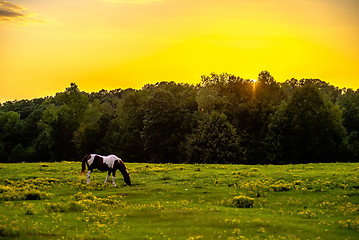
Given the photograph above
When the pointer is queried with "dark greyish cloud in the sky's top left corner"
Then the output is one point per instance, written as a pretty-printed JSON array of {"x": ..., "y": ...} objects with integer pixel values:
[{"x": 10, "y": 12}]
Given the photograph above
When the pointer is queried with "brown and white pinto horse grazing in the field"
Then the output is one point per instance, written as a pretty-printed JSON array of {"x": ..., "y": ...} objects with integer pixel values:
[{"x": 109, "y": 163}]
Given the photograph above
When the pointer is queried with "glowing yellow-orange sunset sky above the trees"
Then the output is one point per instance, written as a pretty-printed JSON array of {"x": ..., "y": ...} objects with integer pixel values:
[{"x": 108, "y": 44}]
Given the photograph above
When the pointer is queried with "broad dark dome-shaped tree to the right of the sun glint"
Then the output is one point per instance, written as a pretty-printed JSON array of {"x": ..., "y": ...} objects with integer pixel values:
[{"x": 307, "y": 128}]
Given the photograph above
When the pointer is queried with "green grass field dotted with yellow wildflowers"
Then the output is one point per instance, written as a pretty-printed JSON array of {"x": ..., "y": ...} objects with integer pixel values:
[{"x": 170, "y": 201}]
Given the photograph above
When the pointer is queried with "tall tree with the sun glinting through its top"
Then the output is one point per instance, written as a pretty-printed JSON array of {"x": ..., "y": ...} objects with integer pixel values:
[{"x": 253, "y": 114}]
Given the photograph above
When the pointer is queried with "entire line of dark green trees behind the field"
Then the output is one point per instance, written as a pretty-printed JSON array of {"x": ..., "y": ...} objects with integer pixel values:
[{"x": 223, "y": 119}]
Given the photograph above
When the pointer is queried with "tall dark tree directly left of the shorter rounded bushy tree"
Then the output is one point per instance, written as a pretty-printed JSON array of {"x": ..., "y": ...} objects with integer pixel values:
[{"x": 167, "y": 119}]
